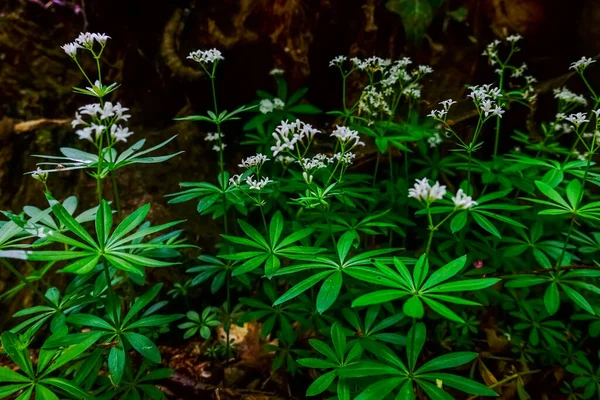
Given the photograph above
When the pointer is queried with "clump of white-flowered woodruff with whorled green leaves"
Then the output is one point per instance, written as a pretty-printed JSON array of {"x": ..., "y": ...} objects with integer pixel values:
[{"x": 439, "y": 265}]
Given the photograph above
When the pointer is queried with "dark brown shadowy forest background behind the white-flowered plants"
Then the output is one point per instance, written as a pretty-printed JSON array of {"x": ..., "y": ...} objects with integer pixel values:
[{"x": 146, "y": 55}]
